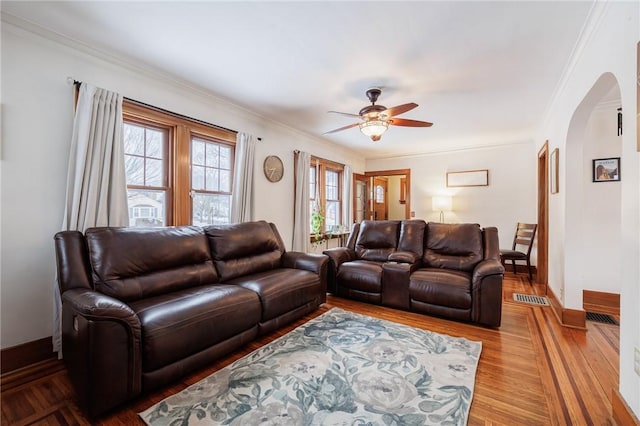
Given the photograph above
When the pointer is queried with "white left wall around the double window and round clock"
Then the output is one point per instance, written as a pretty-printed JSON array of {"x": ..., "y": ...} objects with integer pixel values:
[{"x": 37, "y": 108}]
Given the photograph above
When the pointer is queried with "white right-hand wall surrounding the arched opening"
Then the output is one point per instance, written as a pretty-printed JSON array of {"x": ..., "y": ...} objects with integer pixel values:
[{"x": 608, "y": 45}]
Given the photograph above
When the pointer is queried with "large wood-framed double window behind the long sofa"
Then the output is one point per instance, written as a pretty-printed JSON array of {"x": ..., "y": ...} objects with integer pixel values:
[{"x": 179, "y": 171}]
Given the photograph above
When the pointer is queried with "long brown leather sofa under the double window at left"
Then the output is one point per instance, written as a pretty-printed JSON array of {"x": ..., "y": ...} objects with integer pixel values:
[{"x": 143, "y": 307}]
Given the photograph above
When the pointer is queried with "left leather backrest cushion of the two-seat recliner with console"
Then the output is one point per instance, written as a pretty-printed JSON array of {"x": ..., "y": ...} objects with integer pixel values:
[{"x": 377, "y": 239}]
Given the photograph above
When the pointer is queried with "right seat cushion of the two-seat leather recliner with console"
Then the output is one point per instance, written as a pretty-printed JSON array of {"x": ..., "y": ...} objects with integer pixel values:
[{"x": 441, "y": 287}]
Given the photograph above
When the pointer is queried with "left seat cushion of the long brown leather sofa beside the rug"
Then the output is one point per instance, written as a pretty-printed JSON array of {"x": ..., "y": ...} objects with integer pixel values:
[{"x": 180, "y": 324}]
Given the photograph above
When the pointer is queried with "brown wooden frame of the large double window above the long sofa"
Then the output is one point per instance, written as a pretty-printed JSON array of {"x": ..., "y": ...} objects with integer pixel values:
[{"x": 178, "y": 159}]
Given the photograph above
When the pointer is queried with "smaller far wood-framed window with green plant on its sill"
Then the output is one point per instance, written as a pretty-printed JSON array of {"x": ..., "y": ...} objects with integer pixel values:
[{"x": 325, "y": 192}]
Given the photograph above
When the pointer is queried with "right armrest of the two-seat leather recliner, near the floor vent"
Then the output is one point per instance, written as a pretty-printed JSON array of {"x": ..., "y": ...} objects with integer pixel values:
[{"x": 486, "y": 290}]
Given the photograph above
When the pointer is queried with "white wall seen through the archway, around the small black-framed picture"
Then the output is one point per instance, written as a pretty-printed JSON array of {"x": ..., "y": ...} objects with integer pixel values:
[{"x": 592, "y": 238}]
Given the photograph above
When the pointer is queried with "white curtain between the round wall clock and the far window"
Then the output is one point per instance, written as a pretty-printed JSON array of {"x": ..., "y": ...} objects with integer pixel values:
[{"x": 301, "y": 202}]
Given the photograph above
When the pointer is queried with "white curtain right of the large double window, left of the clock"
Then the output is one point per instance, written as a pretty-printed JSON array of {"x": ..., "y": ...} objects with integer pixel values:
[{"x": 242, "y": 197}]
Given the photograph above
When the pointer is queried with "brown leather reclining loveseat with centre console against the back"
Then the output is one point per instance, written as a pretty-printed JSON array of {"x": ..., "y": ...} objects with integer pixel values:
[{"x": 446, "y": 270}]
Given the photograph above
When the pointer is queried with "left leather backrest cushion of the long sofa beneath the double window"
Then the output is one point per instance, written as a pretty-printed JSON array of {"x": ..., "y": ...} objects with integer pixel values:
[{"x": 134, "y": 263}]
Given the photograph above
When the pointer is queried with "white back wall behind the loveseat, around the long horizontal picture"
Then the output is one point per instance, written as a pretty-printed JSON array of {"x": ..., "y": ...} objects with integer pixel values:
[{"x": 511, "y": 196}]
